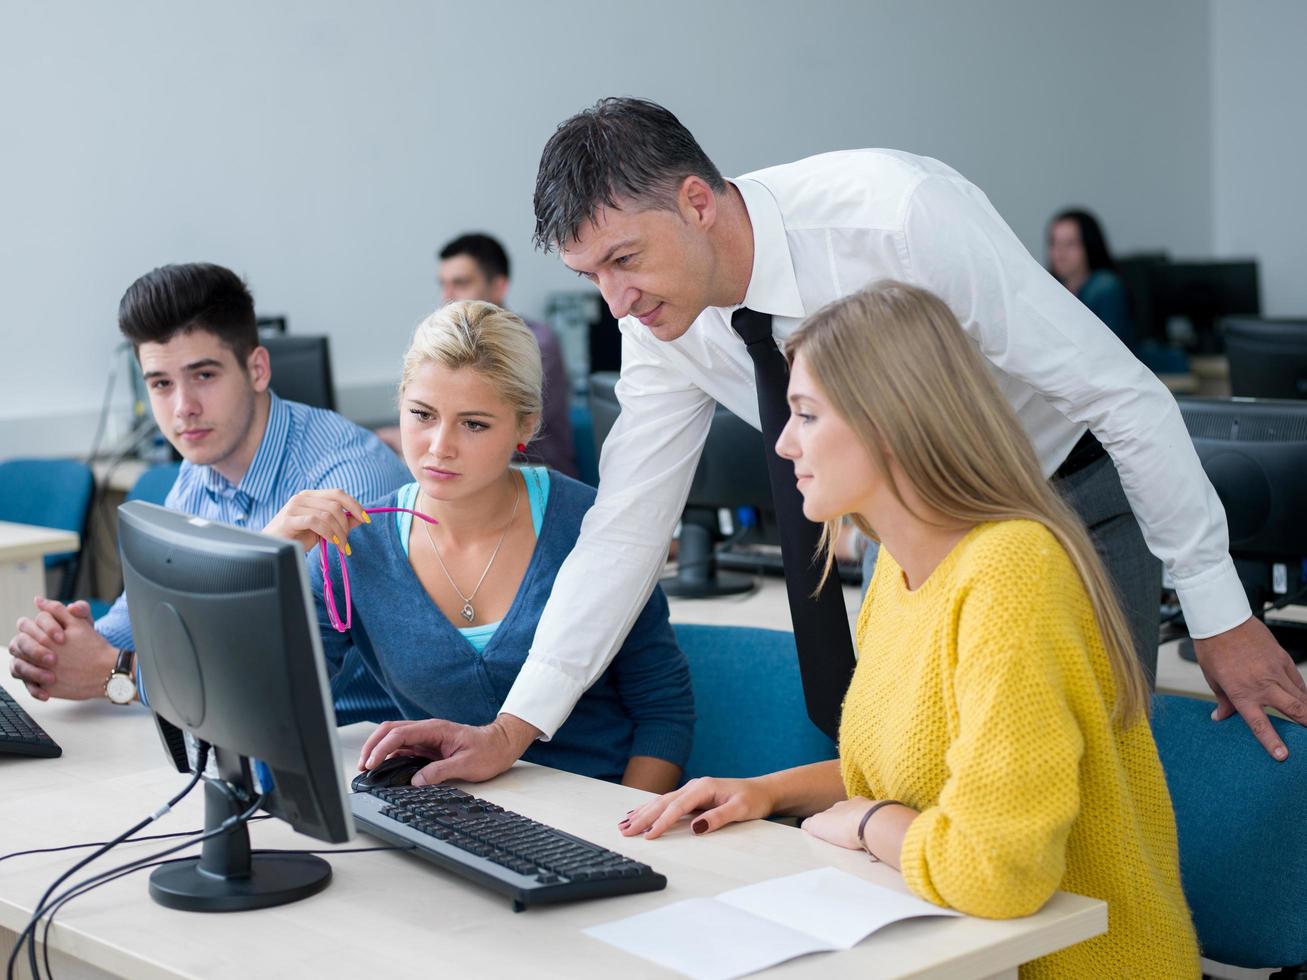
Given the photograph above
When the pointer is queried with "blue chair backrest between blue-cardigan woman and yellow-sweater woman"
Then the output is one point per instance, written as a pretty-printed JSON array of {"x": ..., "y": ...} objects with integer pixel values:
[{"x": 750, "y": 701}]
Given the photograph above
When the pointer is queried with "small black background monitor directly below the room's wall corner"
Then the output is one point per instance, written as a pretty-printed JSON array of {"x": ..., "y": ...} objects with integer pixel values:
[{"x": 1203, "y": 293}]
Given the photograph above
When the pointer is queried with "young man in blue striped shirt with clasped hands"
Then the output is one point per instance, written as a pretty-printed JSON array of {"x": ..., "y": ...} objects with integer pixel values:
[{"x": 248, "y": 455}]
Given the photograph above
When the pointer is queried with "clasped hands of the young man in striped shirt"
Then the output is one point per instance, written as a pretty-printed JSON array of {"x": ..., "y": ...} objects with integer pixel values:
[{"x": 58, "y": 654}]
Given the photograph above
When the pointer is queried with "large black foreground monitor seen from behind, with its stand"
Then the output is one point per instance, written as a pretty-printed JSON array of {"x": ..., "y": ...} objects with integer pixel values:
[{"x": 229, "y": 653}]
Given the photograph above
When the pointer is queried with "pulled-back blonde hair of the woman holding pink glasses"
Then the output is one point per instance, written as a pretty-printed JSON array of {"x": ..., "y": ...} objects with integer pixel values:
[{"x": 492, "y": 342}]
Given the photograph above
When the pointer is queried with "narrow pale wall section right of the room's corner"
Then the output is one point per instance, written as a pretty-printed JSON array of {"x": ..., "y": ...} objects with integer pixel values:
[{"x": 1259, "y": 63}]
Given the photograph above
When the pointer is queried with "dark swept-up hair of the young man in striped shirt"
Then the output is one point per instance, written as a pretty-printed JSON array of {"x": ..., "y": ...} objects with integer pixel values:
[{"x": 193, "y": 297}]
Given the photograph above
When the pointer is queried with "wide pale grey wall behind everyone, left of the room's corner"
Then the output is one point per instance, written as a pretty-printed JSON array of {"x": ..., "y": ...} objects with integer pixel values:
[{"x": 325, "y": 148}]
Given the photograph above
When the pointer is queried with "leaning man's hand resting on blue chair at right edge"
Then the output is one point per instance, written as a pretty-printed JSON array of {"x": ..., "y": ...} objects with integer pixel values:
[{"x": 1250, "y": 672}]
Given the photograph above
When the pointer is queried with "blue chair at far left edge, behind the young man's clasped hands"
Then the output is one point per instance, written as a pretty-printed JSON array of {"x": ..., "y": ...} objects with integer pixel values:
[{"x": 50, "y": 495}]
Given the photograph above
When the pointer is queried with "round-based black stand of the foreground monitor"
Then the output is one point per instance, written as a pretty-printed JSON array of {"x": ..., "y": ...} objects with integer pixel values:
[{"x": 227, "y": 877}]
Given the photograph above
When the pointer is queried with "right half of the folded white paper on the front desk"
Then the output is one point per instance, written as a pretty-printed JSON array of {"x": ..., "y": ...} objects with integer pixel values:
[{"x": 829, "y": 905}]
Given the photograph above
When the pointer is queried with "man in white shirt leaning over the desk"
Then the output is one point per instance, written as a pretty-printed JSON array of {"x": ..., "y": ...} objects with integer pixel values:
[{"x": 631, "y": 202}]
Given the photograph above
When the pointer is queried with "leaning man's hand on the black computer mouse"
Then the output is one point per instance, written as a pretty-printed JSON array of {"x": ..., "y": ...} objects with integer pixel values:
[{"x": 474, "y": 753}]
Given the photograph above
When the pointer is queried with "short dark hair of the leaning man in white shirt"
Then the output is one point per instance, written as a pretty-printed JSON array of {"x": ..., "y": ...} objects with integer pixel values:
[{"x": 619, "y": 148}]
